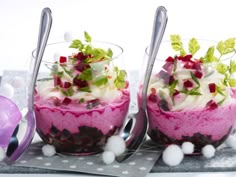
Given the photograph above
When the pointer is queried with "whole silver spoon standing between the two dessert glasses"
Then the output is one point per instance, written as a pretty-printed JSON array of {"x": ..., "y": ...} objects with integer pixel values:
[{"x": 135, "y": 128}]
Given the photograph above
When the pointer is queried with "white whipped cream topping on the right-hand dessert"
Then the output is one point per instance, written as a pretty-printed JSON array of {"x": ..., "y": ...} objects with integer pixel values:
[{"x": 183, "y": 101}]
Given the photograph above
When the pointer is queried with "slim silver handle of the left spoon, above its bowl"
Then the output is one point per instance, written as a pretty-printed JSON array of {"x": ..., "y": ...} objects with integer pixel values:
[{"x": 44, "y": 30}]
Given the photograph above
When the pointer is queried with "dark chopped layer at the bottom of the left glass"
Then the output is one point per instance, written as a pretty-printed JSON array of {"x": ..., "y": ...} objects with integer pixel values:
[{"x": 88, "y": 141}]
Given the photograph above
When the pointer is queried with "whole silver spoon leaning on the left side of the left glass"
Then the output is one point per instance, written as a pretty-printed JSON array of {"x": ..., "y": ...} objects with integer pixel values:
[{"x": 25, "y": 130}]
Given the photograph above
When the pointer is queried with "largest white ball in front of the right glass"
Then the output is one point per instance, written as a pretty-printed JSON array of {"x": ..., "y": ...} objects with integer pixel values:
[{"x": 172, "y": 155}]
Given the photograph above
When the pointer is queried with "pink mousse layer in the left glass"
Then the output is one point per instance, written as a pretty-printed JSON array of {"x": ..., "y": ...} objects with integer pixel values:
[{"x": 104, "y": 117}]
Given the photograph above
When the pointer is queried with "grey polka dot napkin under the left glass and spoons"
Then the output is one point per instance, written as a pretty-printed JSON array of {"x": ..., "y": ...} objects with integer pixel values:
[{"x": 139, "y": 165}]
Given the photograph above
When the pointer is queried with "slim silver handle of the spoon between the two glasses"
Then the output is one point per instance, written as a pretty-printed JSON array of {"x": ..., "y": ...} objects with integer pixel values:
[{"x": 159, "y": 26}]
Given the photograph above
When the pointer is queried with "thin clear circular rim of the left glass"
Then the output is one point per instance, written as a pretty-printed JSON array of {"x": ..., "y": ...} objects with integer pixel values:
[{"x": 121, "y": 51}]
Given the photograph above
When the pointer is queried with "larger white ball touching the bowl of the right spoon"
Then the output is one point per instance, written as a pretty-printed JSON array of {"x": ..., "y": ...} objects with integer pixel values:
[{"x": 115, "y": 144}]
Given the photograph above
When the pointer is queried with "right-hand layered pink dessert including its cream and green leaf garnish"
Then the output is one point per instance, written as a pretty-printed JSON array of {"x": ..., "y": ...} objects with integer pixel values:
[{"x": 193, "y": 98}]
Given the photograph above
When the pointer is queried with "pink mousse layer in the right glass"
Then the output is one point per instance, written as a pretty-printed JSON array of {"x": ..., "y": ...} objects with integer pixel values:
[{"x": 216, "y": 122}]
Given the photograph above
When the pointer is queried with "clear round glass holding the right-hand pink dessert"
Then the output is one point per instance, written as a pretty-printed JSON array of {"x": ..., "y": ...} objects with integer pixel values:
[{"x": 186, "y": 99}]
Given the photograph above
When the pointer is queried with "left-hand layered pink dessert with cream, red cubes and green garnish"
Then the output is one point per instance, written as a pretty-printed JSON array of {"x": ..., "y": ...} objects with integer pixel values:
[{"x": 84, "y": 100}]
